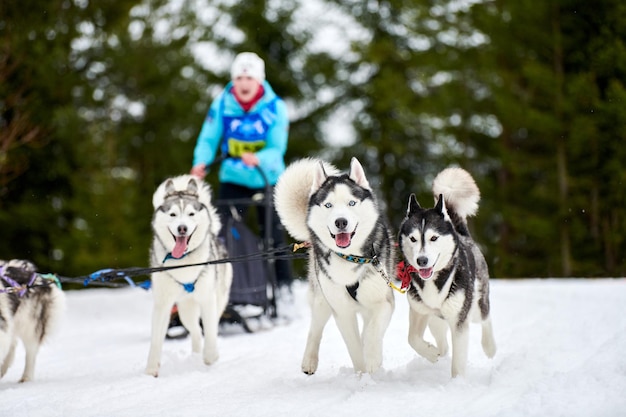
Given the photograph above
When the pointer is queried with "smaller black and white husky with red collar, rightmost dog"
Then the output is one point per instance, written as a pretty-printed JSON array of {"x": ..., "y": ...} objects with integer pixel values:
[{"x": 449, "y": 276}]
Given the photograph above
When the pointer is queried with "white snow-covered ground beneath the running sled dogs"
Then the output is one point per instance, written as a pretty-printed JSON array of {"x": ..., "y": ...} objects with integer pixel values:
[{"x": 561, "y": 353}]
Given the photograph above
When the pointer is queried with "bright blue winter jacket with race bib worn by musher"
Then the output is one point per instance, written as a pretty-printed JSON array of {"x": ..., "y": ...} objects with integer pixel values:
[{"x": 228, "y": 129}]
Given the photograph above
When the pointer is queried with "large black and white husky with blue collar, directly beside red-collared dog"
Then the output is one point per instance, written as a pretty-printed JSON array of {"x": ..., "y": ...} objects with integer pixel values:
[{"x": 350, "y": 256}]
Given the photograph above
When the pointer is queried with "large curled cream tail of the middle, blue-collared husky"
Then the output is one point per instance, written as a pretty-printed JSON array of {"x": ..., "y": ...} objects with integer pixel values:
[{"x": 292, "y": 192}]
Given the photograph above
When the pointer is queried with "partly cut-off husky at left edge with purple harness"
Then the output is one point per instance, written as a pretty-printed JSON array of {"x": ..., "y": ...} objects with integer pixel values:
[{"x": 30, "y": 315}]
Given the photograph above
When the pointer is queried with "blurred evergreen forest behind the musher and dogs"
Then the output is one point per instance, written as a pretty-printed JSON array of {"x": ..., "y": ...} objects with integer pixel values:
[{"x": 102, "y": 100}]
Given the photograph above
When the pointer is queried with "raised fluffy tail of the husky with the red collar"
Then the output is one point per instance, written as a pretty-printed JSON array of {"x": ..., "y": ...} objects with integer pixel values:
[{"x": 460, "y": 192}]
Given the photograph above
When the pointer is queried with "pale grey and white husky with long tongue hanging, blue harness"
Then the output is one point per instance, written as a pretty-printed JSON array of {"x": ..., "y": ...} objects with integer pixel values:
[{"x": 185, "y": 226}]
